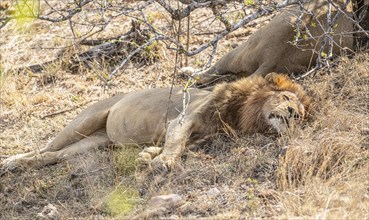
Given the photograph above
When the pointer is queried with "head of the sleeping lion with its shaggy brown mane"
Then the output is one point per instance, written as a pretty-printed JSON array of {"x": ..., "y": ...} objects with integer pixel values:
[{"x": 271, "y": 104}]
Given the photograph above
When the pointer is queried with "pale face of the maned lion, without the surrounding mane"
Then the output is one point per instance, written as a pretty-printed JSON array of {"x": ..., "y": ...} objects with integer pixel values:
[{"x": 282, "y": 110}]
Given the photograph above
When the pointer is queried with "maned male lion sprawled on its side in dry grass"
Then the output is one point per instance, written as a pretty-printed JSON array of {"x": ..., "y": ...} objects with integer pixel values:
[{"x": 268, "y": 105}]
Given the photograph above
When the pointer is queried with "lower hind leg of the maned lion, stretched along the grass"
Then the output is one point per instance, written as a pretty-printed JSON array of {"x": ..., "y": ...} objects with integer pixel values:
[{"x": 36, "y": 159}]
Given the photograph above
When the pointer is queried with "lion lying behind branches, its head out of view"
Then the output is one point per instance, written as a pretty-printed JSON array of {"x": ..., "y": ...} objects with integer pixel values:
[{"x": 274, "y": 48}]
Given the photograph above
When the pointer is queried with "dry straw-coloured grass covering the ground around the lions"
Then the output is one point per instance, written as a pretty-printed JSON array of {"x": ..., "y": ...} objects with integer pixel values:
[{"x": 320, "y": 172}]
